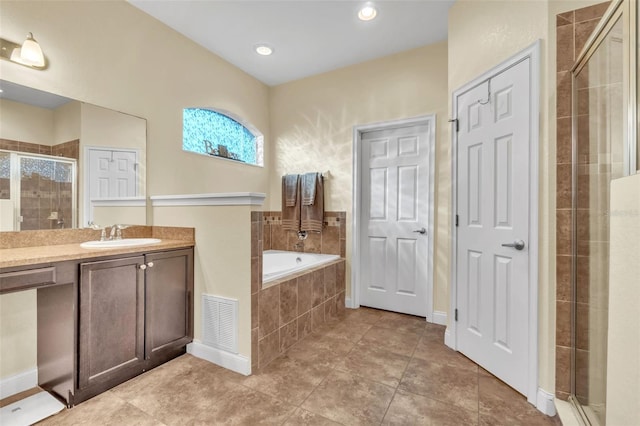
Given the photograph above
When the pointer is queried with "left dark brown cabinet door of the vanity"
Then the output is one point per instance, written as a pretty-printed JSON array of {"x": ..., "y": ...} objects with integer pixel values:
[{"x": 111, "y": 320}]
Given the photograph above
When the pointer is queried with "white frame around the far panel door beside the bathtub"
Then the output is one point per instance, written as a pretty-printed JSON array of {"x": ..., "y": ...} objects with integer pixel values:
[{"x": 429, "y": 120}]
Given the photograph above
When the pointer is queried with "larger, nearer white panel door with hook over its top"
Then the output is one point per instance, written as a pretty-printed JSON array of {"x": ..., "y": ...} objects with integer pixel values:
[{"x": 493, "y": 210}]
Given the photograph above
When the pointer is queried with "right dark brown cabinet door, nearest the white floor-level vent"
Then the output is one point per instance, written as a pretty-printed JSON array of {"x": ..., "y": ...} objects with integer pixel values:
[{"x": 169, "y": 301}]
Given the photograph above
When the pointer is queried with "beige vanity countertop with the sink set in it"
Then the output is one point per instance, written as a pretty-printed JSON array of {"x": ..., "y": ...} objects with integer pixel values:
[{"x": 25, "y": 256}]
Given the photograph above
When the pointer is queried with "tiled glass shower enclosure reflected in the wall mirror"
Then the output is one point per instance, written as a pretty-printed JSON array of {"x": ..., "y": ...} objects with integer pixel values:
[{"x": 36, "y": 192}]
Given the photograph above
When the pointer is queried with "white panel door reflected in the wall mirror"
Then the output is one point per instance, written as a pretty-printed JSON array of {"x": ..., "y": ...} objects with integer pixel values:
[{"x": 112, "y": 173}]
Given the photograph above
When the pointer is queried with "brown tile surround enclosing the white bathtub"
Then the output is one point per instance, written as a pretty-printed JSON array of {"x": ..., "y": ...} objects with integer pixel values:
[{"x": 289, "y": 309}]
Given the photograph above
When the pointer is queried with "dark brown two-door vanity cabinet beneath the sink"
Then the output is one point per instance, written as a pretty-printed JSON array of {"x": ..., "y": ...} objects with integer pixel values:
[{"x": 135, "y": 314}]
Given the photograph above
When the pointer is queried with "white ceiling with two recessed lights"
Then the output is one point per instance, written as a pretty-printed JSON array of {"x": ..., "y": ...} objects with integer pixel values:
[{"x": 308, "y": 36}]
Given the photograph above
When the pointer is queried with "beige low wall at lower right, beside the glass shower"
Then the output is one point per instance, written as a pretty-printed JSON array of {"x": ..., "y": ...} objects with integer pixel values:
[{"x": 623, "y": 363}]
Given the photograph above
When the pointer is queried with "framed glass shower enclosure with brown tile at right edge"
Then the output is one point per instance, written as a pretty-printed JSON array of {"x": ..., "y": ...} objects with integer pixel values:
[{"x": 604, "y": 148}]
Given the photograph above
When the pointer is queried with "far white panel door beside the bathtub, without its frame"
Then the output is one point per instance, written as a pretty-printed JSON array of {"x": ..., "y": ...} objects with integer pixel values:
[{"x": 394, "y": 241}]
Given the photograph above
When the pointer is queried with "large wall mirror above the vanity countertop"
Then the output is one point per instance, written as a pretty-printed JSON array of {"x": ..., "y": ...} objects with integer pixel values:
[{"x": 65, "y": 163}]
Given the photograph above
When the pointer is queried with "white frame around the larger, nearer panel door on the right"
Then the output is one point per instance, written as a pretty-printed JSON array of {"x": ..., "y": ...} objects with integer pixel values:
[{"x": 533, "y": 54}]
